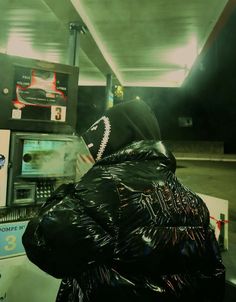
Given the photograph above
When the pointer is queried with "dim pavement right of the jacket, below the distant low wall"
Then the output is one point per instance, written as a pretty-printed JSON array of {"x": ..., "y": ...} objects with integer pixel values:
[{"x": 218, "y": 179}]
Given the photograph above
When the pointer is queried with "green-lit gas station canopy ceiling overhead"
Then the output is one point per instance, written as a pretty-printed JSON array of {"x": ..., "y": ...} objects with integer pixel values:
[{"x": 153, "y": 43}]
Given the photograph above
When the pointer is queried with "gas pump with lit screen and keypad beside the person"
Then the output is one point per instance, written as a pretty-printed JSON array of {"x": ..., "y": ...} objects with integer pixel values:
[{"x": 38, "y": 151}]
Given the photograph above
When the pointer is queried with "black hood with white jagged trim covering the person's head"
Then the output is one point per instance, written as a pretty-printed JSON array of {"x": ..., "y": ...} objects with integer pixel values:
[{"x": 120, "y": 126}]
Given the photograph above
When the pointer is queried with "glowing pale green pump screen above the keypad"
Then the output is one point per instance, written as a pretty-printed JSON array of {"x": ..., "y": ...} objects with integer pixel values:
[{"x": 46, "y": 158}]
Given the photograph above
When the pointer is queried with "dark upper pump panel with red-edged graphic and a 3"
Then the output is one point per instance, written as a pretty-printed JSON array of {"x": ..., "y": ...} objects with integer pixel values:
[{"x": 40, "y": 94}]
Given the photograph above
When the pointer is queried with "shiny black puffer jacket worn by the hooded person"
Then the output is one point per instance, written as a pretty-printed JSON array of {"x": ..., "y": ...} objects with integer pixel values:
[{"x": 128, "y": 231}]
